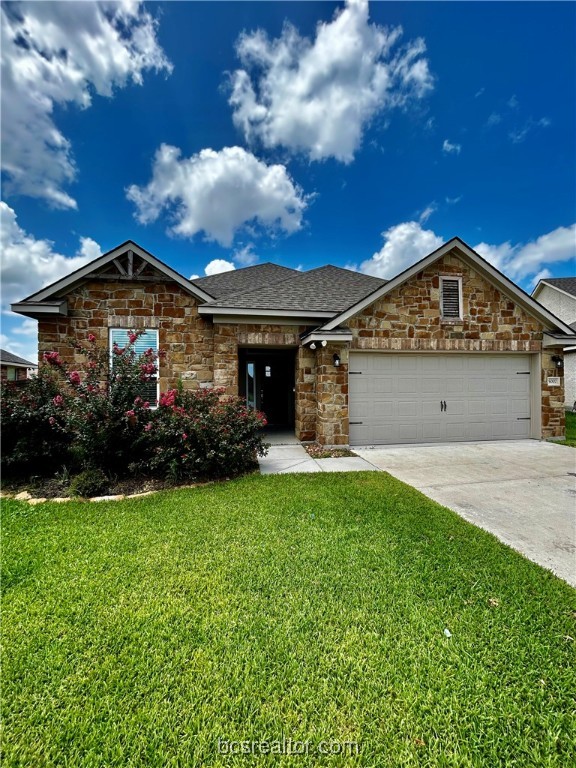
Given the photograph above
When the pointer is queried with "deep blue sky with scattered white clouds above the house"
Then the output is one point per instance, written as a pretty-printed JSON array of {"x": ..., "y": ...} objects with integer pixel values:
[{"x": 221, "y": 134}]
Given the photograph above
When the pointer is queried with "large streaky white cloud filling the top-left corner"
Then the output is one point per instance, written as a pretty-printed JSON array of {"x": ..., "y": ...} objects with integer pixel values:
[{"x": 55, "y": 54}]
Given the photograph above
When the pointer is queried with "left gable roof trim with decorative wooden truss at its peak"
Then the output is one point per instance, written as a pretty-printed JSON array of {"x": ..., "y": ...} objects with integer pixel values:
[{"x": 136, "y": 259}]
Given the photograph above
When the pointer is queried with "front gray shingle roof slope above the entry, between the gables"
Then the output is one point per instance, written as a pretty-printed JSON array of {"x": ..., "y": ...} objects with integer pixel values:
[{"x": 326, "y": 289}]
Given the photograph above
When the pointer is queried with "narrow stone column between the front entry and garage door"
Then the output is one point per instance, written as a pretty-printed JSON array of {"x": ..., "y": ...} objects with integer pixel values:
[{"x": 332, "y": 395}]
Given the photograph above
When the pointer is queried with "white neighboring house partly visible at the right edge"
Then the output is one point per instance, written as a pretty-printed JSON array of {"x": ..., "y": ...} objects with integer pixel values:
[{"x": 558, "y": 294}]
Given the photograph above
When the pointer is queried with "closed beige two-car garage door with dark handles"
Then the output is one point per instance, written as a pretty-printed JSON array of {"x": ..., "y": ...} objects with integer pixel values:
[{"x": 405, "y": 398}]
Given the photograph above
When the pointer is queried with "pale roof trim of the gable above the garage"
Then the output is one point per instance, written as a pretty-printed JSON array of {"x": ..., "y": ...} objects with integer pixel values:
[{"x": 469, "y": 255}]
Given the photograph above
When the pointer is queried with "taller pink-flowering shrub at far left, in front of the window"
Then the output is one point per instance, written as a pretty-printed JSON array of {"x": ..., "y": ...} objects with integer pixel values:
[{"x": 87, "y": 418}]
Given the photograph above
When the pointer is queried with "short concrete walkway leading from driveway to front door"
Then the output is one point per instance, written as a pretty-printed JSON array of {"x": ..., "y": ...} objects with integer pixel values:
[{"x": 287, "y": 455}]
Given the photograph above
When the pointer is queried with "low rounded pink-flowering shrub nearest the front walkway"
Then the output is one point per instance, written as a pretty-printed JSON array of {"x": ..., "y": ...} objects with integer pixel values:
[{"x": 201, "y": 434}]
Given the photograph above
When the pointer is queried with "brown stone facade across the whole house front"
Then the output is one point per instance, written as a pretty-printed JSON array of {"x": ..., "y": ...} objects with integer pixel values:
[{"x": 202, "y": 353}]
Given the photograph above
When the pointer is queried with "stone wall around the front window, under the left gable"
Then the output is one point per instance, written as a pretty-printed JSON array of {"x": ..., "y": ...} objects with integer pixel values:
[{"x": 182, "y": 332}]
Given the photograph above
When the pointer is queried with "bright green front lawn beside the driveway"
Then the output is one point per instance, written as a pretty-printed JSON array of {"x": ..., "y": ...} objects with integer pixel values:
[{"x": 306, "y": 607}]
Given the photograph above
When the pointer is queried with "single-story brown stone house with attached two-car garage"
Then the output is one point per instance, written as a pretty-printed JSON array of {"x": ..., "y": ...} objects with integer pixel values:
[{"x": 448, "y": 350}]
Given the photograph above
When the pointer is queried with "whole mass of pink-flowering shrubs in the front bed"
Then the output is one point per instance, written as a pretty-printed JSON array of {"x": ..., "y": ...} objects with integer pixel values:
[{"x": 92, "y": 419}]
